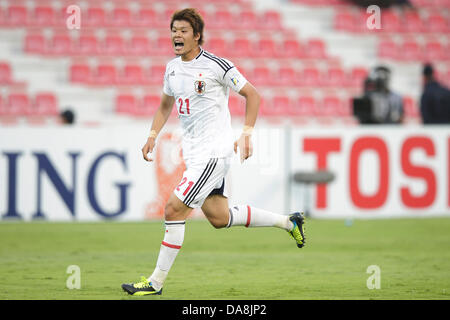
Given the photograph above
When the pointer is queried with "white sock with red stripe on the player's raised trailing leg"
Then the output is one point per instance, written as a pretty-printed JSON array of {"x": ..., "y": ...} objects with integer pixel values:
[{"x": 247, "y": 216}]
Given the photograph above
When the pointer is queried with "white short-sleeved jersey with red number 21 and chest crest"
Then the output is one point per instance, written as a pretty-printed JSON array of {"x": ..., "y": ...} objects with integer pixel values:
[{"x": 201, "y": 88}]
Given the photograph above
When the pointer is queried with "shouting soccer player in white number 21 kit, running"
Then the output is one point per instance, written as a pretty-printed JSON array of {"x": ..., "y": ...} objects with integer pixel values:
[{"x": 198, "y": 83}]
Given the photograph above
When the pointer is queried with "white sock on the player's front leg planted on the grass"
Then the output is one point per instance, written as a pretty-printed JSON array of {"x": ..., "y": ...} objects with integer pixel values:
[{"x": 173, "y": 240}]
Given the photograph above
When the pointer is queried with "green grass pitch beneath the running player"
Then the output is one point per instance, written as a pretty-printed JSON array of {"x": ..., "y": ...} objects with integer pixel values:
[{"x": 237, "y": 263}]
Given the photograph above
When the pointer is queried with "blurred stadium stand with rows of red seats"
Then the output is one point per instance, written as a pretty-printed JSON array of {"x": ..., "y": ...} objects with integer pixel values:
[{"x": 294, "y": 58}]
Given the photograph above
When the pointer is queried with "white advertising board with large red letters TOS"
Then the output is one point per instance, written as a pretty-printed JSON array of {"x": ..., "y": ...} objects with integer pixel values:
[{"x": 379, "y": 171}]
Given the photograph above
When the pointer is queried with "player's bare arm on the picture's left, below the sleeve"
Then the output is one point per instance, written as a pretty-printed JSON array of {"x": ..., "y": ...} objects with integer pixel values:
[{"x": 159, "y": 120}]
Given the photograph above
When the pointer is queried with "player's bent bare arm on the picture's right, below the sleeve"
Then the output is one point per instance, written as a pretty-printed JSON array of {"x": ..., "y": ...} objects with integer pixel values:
[{"x": 244, "y": 143}]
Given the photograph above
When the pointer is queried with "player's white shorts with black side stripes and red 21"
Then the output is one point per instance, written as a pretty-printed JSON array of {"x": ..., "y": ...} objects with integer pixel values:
[{"x": 202, "y": 179}]
